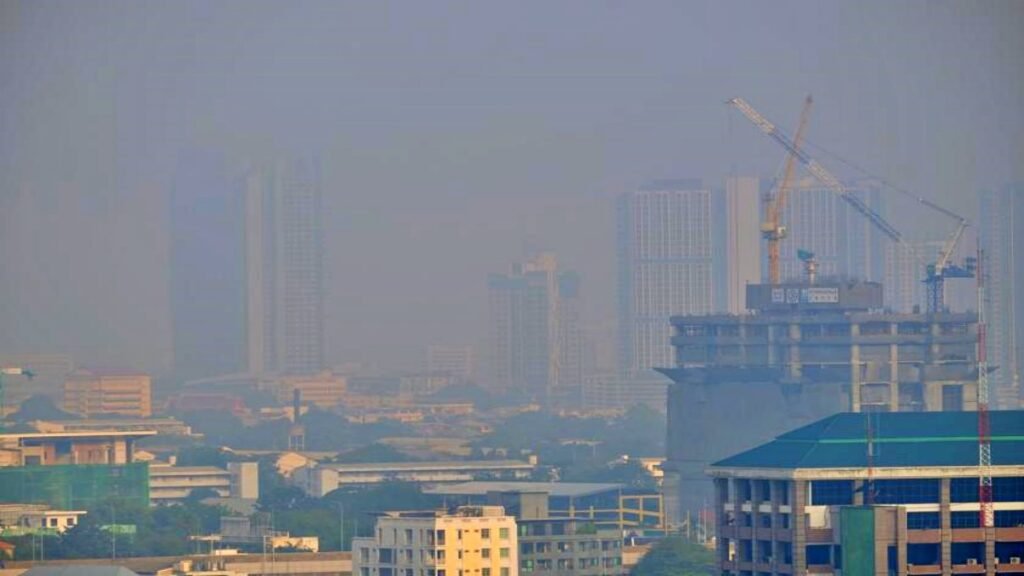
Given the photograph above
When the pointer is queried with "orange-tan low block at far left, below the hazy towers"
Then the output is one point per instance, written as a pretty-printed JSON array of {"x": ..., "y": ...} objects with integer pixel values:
[{"x": 90, "y": 393}]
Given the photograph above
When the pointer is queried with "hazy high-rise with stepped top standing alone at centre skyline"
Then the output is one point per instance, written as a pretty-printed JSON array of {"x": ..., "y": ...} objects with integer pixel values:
[{"x": 535, "y": 341}]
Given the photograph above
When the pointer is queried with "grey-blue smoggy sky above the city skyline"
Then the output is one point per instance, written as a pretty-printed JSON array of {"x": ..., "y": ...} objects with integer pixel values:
[{"x": 453, "y": 136}]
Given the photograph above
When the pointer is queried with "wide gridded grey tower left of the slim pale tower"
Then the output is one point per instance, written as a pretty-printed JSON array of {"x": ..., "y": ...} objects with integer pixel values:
[{"x": 665, "y": 252}]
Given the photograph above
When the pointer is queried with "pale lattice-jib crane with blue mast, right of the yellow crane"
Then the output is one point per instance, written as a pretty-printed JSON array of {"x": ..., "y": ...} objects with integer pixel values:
[{"x": 936, "y": 273}]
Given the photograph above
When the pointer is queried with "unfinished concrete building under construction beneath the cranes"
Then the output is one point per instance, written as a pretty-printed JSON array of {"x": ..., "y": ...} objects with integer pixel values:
[{"x": 803, "y": 352}]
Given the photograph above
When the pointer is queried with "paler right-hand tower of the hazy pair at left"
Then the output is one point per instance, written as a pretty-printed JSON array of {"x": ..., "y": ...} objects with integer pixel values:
[{"x": 285, "y": 273}]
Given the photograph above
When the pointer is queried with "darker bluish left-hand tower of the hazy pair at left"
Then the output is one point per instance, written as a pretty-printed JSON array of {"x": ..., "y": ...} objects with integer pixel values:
[{"x": 207, "y": 270}]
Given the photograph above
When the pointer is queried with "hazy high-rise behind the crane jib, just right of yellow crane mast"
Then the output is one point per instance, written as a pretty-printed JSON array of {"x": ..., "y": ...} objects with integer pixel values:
[{"x": 844, "y": 242}]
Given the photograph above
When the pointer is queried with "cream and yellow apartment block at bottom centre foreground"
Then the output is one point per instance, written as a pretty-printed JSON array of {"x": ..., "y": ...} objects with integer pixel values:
[{"x": 473, "y": 542}]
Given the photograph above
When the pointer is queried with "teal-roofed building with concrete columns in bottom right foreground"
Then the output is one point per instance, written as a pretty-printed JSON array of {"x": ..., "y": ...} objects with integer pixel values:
[{"x": 881, "y": 493}]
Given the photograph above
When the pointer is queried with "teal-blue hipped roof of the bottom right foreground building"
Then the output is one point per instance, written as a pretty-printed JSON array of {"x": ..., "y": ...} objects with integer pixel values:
[{"x": 901, "y": 439}]
